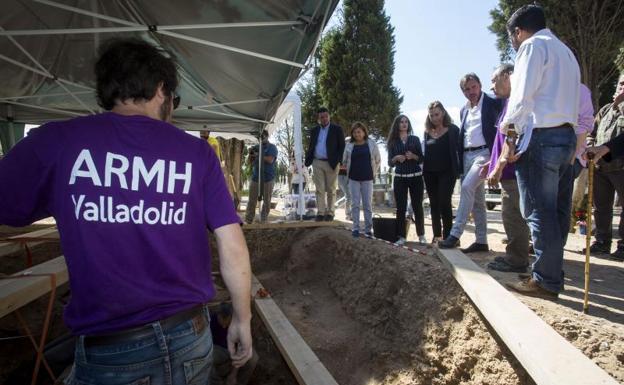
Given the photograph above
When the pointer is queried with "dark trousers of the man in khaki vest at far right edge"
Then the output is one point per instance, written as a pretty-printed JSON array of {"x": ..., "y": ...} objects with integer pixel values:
[{"x": 605, "y": 186}]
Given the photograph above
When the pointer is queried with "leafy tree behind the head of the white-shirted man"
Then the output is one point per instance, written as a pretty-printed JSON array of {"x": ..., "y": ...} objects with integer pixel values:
[{"x": 593, "y": 29}]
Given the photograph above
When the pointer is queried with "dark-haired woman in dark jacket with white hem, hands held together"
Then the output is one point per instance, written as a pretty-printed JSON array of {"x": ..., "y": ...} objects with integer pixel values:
[{"x": 405, "y": 155}]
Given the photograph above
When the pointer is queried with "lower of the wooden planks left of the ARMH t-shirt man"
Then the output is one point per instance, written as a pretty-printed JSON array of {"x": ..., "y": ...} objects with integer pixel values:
[{"x": 15, "y": 293}]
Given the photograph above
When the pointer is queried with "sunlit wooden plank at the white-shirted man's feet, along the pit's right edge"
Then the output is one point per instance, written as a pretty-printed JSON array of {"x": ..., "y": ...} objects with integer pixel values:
[{"x": 547, "y": 357}]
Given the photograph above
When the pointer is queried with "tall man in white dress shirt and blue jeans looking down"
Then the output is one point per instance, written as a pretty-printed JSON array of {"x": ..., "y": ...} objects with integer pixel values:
[{"x": 542, "y": 111}]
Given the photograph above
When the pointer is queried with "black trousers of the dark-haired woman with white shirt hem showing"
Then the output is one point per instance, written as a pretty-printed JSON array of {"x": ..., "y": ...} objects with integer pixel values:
[{"x": 416, "y": 190}]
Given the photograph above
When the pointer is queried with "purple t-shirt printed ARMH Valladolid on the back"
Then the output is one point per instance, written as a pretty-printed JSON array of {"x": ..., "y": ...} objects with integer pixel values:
[{"x": 132, "y": 198}]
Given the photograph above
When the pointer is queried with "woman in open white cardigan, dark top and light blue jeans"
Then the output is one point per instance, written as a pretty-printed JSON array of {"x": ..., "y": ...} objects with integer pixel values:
[{"x": 361, "y": 158}]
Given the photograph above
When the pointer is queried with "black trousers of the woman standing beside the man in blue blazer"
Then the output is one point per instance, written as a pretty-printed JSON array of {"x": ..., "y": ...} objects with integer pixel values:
[{"x": 440, "y": 191}]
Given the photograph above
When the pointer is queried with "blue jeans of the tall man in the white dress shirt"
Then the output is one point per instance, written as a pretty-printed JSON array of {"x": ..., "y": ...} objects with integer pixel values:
[{"x": 545, "y": 180}]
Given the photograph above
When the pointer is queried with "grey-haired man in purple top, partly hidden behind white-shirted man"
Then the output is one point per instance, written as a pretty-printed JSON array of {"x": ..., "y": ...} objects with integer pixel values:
[{"x": 516, "y": 257}]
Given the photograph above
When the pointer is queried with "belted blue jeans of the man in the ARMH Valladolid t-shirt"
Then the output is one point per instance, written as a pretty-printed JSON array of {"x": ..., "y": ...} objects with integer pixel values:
[{"x": 180, "y": 355}]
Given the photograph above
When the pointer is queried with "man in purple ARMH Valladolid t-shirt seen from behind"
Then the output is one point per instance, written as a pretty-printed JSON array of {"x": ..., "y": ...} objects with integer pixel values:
[{"x": 132, "y": 196}]
